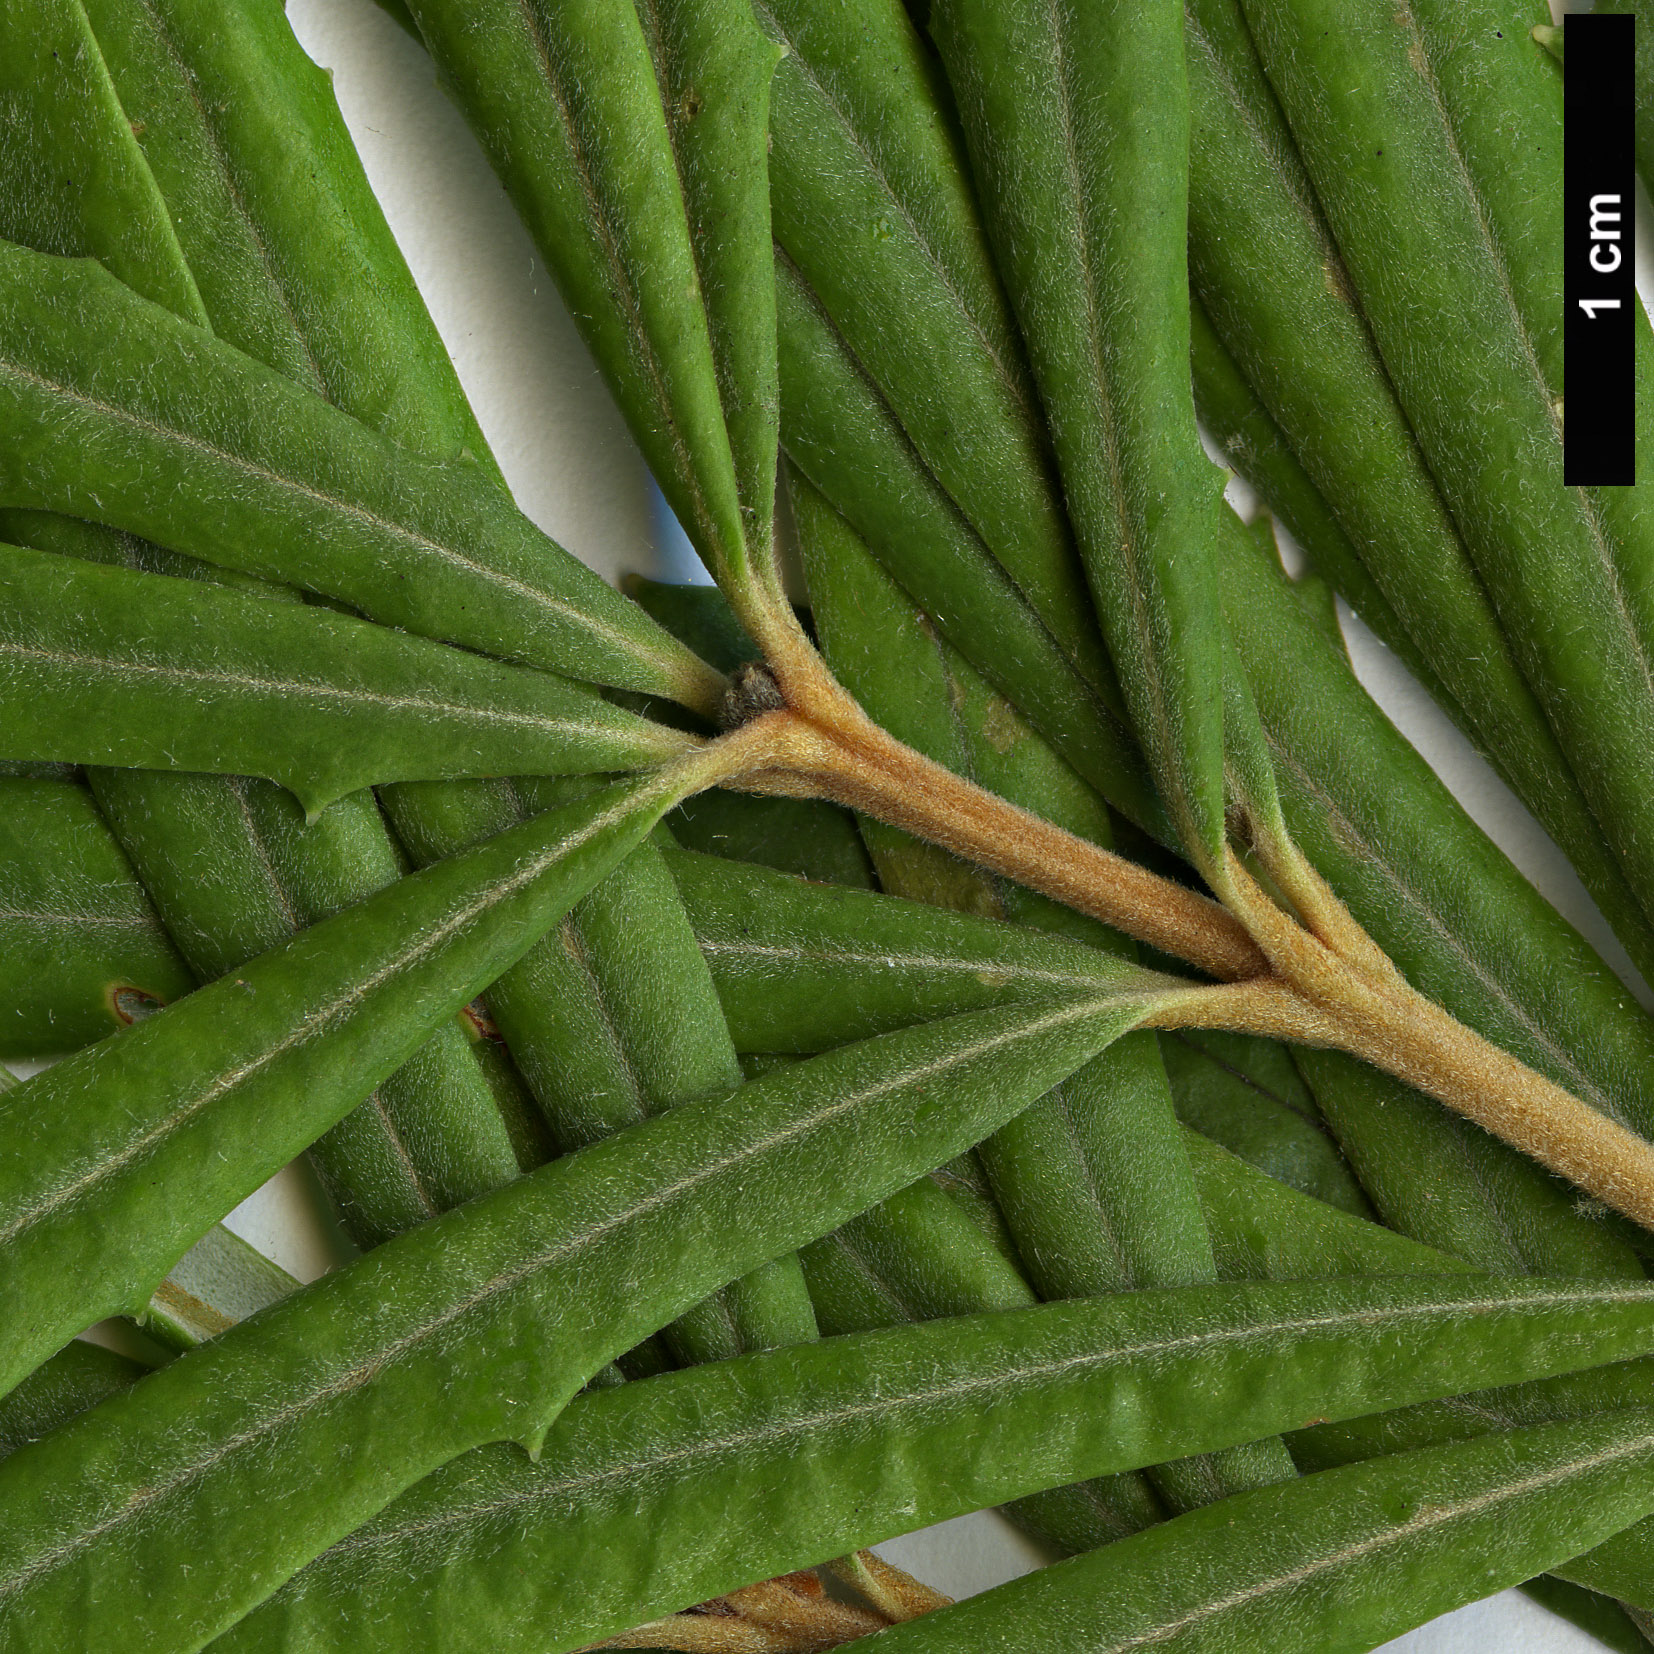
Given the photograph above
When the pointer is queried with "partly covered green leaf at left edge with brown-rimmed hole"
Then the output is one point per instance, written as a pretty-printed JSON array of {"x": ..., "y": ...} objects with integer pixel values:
[{"x": 82, "y": 952}]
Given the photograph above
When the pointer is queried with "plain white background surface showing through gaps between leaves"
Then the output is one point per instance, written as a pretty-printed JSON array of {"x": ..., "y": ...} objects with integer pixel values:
[{"x": 576, "y": 474}]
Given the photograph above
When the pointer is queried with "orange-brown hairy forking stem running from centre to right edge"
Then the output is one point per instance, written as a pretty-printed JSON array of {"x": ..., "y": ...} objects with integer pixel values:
[{"x": 1312, "y": 977}]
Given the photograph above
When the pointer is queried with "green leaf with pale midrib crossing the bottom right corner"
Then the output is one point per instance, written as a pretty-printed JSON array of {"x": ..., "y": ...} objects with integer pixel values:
[{"x": 1336, "y": 1562}]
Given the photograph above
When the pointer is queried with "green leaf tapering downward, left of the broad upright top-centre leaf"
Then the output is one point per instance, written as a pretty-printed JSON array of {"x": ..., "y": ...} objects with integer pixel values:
[{"x": 866, "y": 156}]
